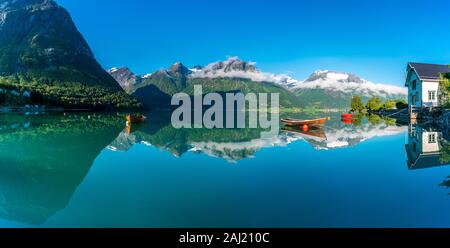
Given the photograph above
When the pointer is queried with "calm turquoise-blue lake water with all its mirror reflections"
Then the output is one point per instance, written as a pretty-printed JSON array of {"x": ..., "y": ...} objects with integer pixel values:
[{"x": 87, "y": 170}]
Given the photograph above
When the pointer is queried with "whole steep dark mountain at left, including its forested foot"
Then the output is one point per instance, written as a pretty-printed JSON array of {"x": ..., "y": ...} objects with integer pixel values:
[{"x": 42, "y": 51}]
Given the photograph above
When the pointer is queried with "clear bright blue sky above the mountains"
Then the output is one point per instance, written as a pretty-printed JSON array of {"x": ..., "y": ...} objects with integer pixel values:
[{"x": 373, "y": 39}]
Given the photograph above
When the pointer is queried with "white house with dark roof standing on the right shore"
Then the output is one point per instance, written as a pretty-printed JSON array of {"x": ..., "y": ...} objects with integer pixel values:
[{"x": 423, "y": 84}]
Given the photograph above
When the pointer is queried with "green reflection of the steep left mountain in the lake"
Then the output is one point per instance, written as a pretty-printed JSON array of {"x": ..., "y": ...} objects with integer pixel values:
[{"x": 44, "y": 158}]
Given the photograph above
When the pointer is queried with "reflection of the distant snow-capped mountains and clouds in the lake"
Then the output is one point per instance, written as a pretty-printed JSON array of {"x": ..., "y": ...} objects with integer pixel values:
[{"x": 237, "y": 144}]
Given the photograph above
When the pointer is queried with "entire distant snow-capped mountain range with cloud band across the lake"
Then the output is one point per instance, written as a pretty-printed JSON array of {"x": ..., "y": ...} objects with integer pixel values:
[{"x": 323, "y": 89}]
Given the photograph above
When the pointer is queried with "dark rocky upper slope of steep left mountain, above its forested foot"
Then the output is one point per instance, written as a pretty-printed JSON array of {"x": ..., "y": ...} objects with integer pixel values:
[{"x": 41, "y": 28}]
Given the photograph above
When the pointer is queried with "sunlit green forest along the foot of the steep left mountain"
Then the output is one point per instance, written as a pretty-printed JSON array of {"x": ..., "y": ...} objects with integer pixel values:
[{"x": 65, "y": 94}]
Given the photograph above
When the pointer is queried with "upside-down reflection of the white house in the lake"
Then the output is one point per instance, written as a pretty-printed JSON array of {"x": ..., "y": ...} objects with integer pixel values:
[{"x": 425, "y": 147}]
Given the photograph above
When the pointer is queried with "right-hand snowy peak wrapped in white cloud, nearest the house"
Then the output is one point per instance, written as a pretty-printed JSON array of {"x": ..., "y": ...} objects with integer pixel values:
[{"x": 348, "y": 83}]
